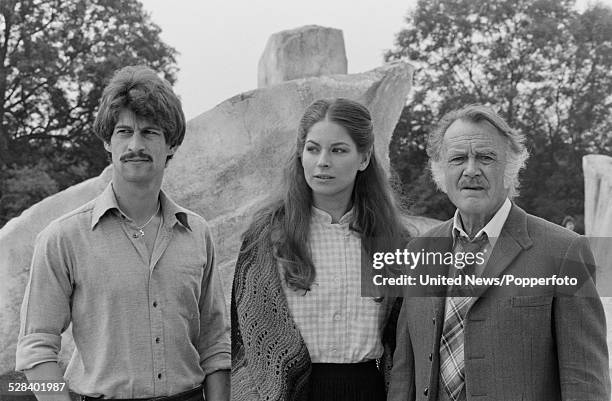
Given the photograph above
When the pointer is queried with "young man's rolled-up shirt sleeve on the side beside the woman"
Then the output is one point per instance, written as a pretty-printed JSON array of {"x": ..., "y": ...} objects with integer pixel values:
[{"x": 214, "y": 342}]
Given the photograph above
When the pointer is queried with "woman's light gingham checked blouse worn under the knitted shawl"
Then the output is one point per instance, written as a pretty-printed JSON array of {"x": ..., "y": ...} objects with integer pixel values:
[{"x": 336, "y": 323}]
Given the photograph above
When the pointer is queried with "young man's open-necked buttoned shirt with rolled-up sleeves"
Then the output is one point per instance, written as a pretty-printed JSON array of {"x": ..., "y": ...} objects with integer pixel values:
[{"x": 142, "y": 327}]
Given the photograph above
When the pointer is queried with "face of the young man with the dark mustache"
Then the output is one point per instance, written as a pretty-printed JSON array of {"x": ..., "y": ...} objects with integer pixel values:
[{"x": 138, "y": 148}]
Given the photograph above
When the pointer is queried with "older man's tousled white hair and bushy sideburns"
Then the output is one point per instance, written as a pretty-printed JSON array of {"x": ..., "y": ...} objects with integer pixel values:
[{"x": 516, "y": 155}]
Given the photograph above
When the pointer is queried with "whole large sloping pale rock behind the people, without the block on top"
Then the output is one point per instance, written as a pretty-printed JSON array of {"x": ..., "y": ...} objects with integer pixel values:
[{"x": 231, "y": 160}]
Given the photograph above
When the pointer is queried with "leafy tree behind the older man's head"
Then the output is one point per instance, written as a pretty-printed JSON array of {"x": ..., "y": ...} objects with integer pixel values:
[{"x": 544, "y": 66}]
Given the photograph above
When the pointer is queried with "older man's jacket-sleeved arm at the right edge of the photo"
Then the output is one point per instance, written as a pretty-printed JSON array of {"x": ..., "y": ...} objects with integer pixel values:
[{"x": 580, "y": 328}]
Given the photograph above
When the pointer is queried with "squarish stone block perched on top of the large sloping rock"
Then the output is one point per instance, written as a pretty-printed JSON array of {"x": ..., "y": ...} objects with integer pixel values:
[{"x": 309, "y": 51}]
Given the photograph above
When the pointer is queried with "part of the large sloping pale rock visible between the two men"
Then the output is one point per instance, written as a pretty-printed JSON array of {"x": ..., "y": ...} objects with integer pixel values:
[{"x": 244, "y": 143}]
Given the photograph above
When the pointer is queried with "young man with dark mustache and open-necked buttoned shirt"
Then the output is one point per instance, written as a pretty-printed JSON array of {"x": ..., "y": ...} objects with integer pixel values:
[{"x": 131, "y": 270}]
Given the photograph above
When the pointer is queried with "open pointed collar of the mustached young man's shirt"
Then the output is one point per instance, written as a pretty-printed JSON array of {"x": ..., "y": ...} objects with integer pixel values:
[{"x": 107, "y": 201}]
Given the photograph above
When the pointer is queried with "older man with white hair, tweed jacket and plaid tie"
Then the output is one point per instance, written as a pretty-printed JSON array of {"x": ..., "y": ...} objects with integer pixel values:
[{"x": 499, "y": 343}]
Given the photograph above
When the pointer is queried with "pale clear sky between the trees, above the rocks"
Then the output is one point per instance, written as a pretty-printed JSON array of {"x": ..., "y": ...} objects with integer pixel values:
[{"x": 220, "y": 41}]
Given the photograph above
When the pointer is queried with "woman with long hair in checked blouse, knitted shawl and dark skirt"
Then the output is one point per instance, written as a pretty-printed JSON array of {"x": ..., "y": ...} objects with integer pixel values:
[{"x": 300, "y": 328}]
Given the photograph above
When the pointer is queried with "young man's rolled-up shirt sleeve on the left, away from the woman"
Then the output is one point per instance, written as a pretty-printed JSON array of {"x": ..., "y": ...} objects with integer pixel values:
[{"x": 45, "y": 311}]
